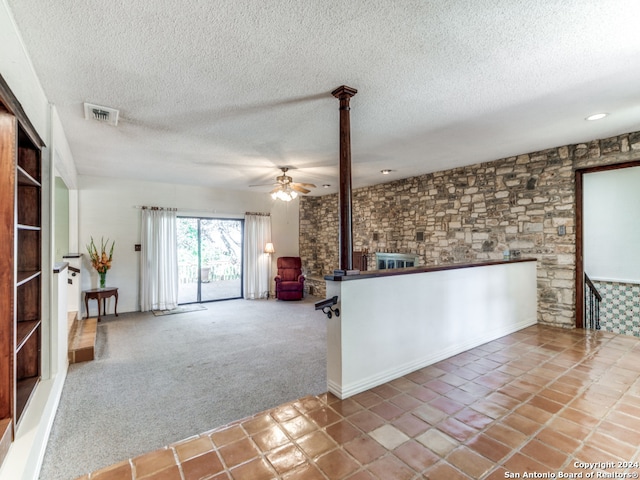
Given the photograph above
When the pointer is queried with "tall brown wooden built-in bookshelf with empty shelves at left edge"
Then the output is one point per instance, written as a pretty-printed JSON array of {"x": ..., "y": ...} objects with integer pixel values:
[{"x": 20, "y": 264}]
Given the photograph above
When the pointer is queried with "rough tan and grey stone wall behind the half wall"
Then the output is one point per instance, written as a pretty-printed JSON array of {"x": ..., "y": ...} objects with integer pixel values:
[{"x": 473, "y": 213}]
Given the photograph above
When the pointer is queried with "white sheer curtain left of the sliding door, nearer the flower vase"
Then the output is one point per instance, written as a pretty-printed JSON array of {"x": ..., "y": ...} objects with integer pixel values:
[{"x": 159, "y": 260}]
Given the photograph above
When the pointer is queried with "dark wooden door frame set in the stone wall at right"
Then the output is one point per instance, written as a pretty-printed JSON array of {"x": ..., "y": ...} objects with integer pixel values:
[{"x": 579, "y": 174}]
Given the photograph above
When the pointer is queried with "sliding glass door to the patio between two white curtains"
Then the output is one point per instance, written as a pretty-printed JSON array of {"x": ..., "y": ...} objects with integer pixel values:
[{"x": 209, "y": 259}]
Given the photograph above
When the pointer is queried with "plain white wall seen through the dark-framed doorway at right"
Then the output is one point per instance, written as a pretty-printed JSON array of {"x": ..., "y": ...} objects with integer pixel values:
[{"x": 612, "y": 225}]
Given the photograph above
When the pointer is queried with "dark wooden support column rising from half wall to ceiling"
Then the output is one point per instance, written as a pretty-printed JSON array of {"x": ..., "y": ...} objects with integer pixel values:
[{"x": 345, "y": 233}]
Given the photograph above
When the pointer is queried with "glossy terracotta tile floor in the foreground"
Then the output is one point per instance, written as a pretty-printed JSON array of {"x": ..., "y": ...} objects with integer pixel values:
[{"x": 540, "y": 401}]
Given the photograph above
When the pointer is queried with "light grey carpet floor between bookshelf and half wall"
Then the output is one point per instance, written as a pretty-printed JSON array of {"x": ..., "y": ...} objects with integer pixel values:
[{"x": 157, "y": 380}]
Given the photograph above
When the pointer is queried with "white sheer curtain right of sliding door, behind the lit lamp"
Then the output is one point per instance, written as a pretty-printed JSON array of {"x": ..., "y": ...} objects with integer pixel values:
[{"x": 257, "y": 232}]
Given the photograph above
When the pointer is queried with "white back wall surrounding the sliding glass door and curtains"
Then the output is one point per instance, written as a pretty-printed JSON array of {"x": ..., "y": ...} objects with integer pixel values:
[{"x": 107, "y": 208}]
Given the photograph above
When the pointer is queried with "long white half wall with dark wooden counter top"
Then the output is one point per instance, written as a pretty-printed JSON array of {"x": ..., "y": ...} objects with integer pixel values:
[{"x": 394, "y": 322}]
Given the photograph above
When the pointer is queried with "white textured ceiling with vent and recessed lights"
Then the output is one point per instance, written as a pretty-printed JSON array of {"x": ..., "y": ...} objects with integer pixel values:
[{"x": 223, "y": 93}]
